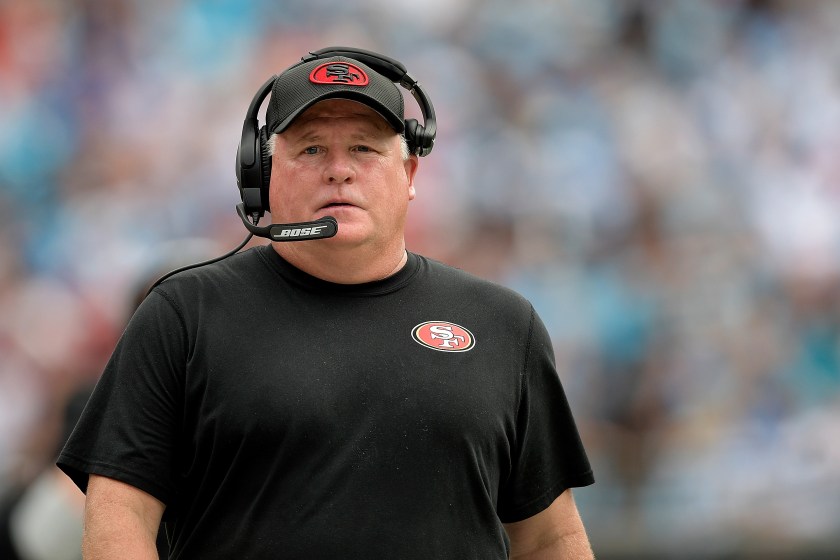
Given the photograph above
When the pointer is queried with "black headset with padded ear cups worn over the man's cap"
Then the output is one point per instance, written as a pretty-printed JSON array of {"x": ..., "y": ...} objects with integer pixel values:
[{"x": 253, "y": 164}]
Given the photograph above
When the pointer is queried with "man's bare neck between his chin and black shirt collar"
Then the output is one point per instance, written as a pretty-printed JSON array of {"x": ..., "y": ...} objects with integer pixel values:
[{"x": 345, "y": 266}]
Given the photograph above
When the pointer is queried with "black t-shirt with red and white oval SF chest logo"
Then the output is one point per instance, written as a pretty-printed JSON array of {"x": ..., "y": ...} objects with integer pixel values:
[{"x": 281, "y": 416}]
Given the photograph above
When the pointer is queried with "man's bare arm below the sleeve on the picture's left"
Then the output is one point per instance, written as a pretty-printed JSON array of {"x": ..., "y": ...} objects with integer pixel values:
[{"x": 121, "y": 521}]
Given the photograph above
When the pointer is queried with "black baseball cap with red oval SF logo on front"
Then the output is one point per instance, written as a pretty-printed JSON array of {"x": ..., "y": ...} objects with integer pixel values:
[{"x": 337, "y": 77}]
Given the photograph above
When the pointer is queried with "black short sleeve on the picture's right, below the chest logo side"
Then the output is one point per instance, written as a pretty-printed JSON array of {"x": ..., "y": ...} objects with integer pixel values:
[{"x": 548, "y": 456}]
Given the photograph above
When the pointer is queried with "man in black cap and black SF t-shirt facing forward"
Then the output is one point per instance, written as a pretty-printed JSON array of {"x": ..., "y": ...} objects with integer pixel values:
[{"x": 332, "y": 398}]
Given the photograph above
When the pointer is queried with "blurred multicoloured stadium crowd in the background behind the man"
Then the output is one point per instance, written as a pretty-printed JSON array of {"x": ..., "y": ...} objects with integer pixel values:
[{"x": 660, "y": 178}]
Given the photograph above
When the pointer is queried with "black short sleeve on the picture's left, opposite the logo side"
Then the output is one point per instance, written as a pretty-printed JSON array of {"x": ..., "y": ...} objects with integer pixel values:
[{"x": 128, "y": 429}]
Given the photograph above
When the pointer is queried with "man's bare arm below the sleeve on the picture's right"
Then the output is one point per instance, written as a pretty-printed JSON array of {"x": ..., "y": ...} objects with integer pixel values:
[{"x": 556, "y": 533}]
